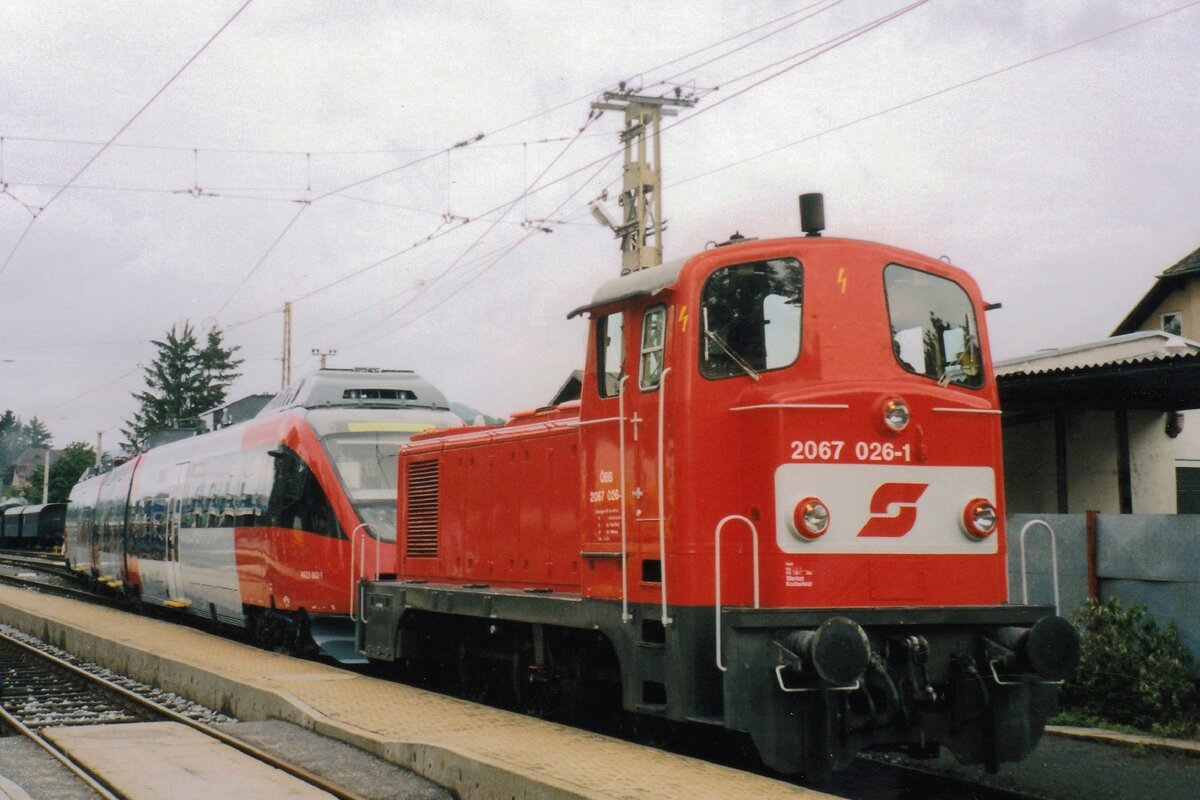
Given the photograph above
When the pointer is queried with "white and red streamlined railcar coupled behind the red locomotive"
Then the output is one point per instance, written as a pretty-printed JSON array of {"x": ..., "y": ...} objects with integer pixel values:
[{"x": 263, "y": 525}]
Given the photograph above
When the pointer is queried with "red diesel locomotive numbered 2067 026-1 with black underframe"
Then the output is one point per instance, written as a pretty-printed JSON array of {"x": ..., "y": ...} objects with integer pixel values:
[{"x": 776, "y": 509}]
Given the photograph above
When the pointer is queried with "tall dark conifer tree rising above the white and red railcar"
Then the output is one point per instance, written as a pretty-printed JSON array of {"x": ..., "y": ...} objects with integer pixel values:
[{"x": 184, "y": 381}]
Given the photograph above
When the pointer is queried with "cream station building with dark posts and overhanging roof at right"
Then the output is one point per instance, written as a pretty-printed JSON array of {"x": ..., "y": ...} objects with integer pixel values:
[{"x": 1109, "y": 426}]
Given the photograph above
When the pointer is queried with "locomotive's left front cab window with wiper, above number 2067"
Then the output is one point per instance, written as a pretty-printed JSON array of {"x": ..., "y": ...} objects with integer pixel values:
[{"x": 751, "y": 318}]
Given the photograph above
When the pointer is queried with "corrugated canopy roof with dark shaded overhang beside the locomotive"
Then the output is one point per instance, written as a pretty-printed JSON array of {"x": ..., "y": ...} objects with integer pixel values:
[{"x": 1147, "y": 370}]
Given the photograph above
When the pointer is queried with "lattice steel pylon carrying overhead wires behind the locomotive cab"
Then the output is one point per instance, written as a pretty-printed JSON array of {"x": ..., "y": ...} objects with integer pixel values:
[{"x": 641, "y": 228}]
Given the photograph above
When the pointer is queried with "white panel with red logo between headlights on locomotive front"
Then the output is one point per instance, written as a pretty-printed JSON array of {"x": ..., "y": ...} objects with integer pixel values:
[{"x": 884, "y": 509}]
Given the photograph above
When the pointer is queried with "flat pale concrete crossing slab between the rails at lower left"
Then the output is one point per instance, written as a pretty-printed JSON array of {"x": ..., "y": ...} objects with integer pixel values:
[{"x": 151, "y": 761}]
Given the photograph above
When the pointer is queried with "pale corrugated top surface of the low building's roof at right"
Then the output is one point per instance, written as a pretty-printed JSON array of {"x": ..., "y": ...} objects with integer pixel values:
[{"x": 1130, "y": 348}]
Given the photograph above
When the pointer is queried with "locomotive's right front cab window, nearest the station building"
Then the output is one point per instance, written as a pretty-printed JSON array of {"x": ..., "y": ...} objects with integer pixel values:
[{"x": 934, "y": 332}]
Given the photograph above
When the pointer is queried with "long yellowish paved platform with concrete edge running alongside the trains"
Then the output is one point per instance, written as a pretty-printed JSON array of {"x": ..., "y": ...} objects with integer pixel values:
[{"x": 478, "y": 753}]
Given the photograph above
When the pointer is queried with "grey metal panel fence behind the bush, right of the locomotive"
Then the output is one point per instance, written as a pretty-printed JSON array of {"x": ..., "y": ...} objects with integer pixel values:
[{"x": 1148, "y": 560}]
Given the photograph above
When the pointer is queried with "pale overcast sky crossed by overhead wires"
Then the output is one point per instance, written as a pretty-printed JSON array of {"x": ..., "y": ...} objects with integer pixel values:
[{"x": 1065, "y": 185}]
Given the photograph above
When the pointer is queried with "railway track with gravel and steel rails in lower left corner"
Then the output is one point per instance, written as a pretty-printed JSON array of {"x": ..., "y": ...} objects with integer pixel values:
[{"x": 44, "y": 690}]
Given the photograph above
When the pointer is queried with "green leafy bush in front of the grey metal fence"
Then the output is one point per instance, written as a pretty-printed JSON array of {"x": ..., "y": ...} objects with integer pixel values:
[{"x": 1131, "y": 671}]
